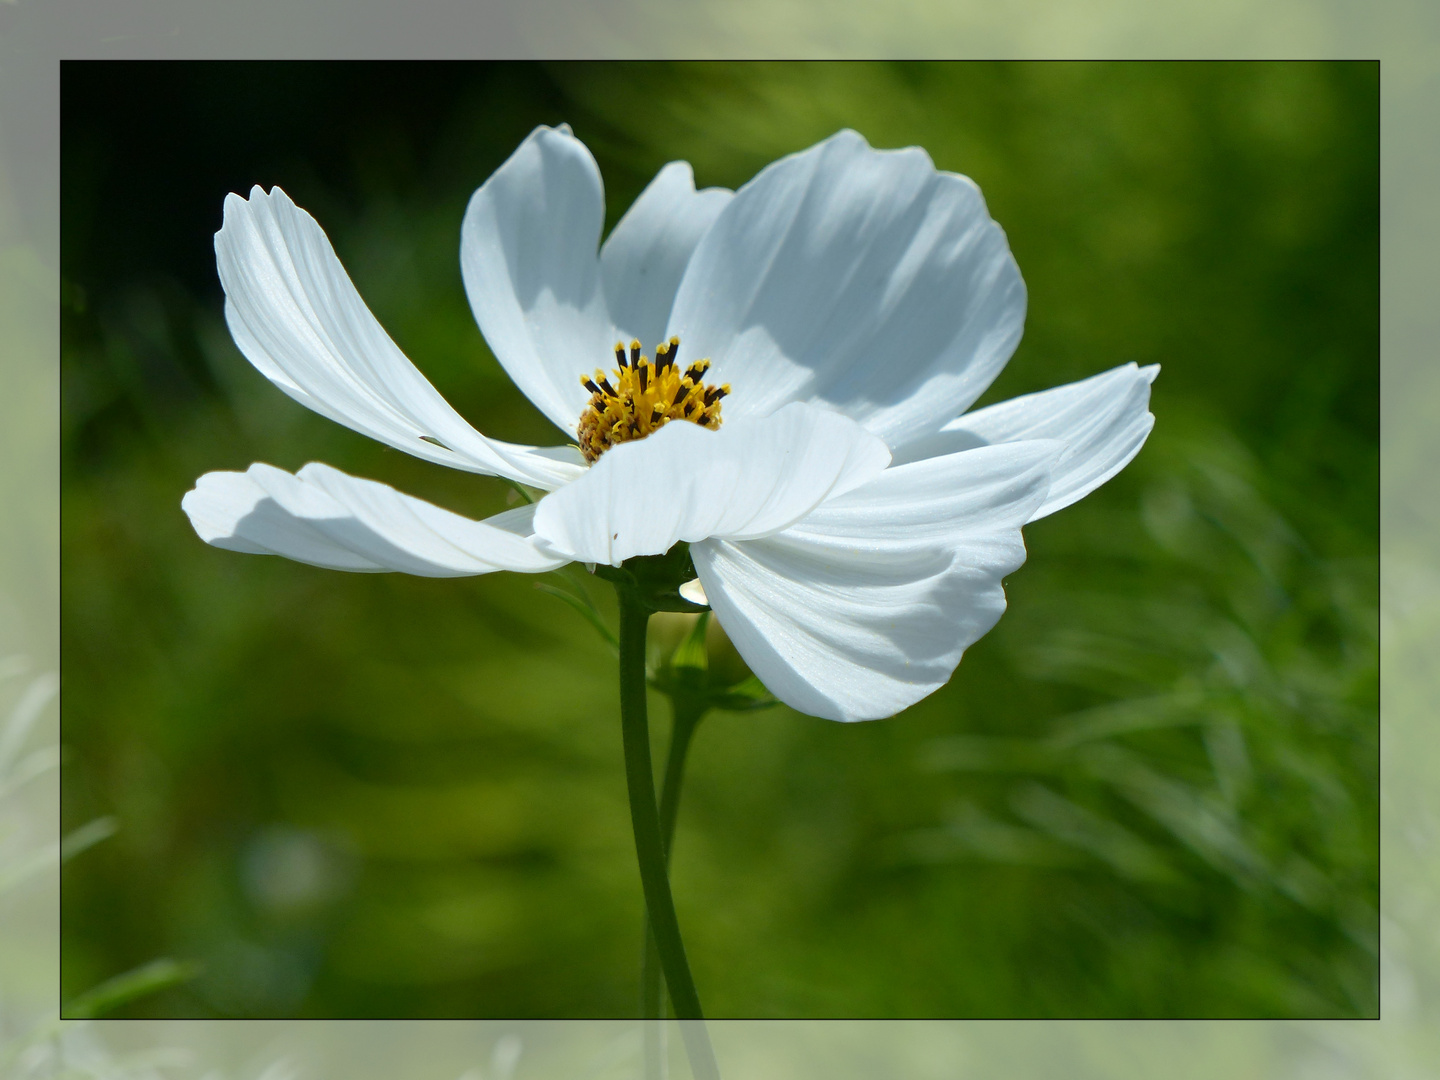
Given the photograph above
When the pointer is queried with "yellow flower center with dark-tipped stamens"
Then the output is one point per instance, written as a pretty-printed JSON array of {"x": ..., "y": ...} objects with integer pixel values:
[{"x": 644, "y": 398}]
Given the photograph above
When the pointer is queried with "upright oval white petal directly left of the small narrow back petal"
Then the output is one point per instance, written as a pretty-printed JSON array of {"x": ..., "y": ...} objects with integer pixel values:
[{"x": 532, "y": 273}]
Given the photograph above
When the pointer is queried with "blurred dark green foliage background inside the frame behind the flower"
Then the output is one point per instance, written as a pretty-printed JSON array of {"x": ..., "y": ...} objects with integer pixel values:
[{"x": 1150, "y": 793}]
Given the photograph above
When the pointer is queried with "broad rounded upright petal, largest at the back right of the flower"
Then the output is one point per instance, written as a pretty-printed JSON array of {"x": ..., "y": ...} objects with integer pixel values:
[{"x": 860, "y": 279}]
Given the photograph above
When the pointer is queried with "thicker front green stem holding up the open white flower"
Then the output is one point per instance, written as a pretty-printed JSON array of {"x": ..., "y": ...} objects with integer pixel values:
[{"x": 650, "y": 847}]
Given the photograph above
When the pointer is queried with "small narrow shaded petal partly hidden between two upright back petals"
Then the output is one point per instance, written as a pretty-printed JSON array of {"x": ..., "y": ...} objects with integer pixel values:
[{"x": 647, "y": 253}]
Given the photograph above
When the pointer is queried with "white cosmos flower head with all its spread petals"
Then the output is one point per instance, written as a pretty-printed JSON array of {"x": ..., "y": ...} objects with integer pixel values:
[{"x": 849, "y": 525}]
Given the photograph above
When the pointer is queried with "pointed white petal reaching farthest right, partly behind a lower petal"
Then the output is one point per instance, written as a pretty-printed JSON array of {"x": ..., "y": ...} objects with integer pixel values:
[{"x": 1104, "y": 423}]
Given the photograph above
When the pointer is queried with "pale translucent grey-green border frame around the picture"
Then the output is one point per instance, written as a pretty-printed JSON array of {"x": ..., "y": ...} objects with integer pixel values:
[{"x": 1403, "y": 34}]
